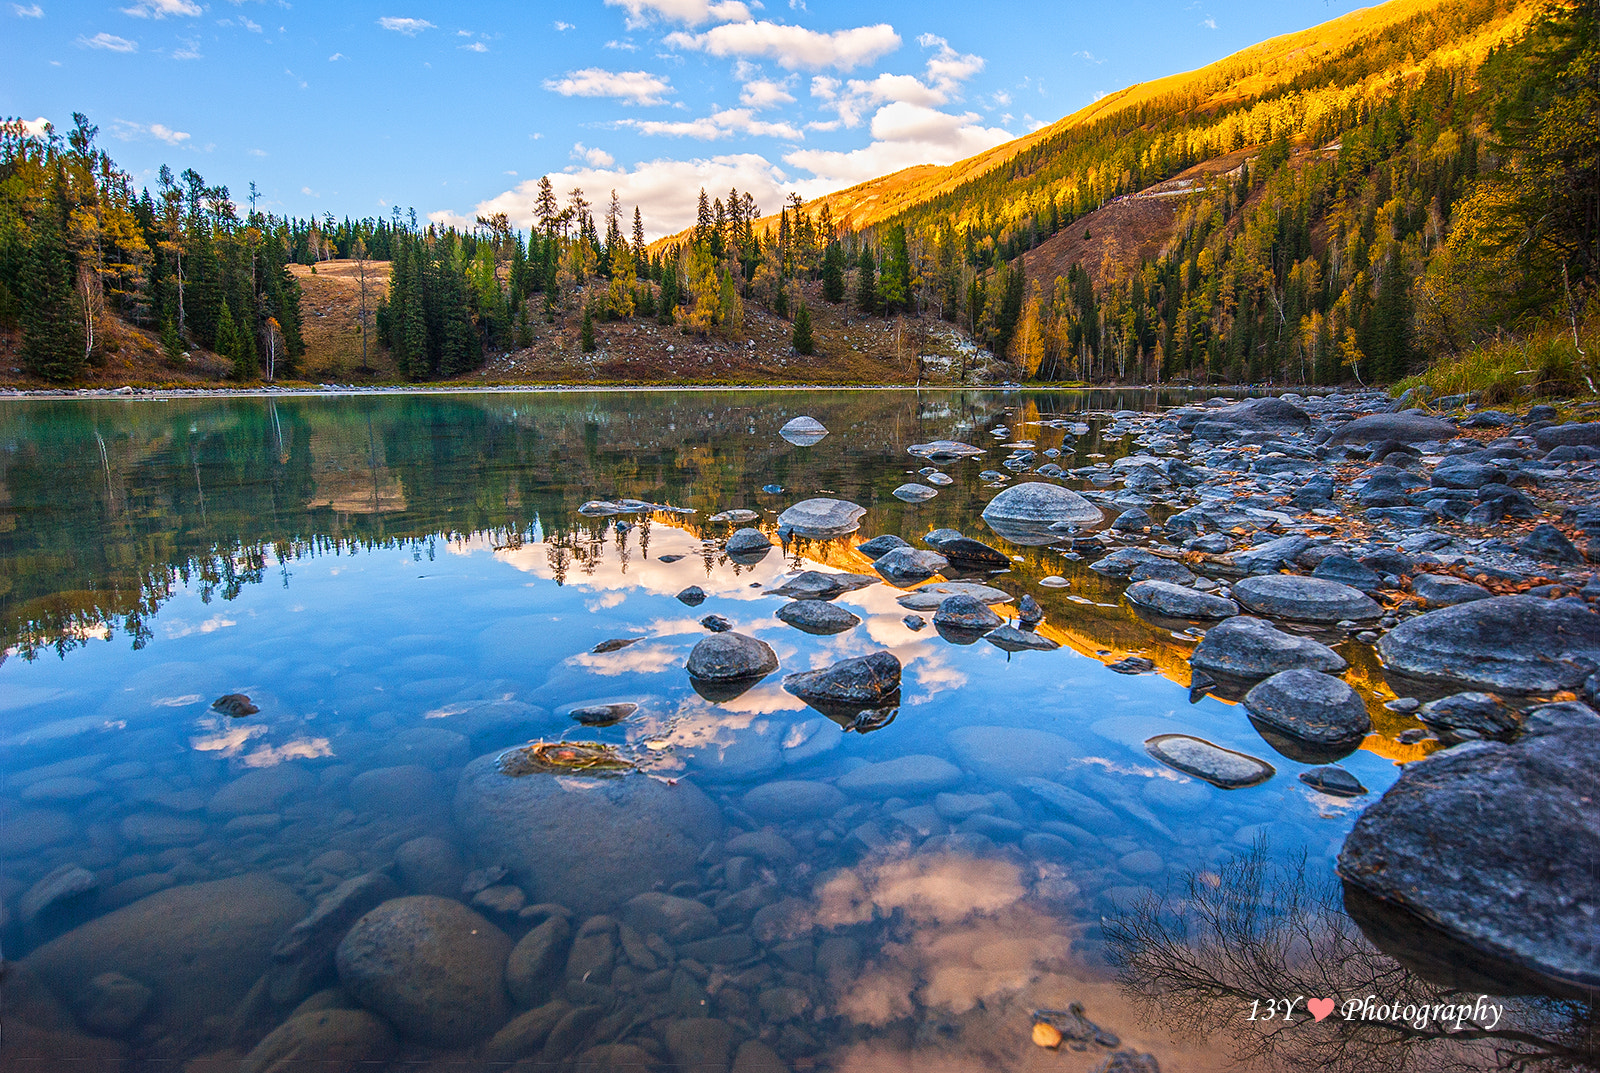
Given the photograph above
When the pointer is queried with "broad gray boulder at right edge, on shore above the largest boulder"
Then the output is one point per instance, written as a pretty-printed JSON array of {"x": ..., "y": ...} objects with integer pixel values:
[{"x": 1503, "y": 645}]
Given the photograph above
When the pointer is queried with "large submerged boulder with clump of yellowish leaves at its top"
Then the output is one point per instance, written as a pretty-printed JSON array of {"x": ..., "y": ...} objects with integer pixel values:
[{"x": 542, "y": 826}]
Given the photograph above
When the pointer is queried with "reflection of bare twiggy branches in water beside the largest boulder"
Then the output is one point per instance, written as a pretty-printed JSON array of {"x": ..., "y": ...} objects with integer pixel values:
[{"x": 1260, "y": 931}]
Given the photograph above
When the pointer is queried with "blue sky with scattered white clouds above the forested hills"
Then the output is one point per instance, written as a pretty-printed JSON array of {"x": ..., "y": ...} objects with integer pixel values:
[{"x": 458, "y": 108}]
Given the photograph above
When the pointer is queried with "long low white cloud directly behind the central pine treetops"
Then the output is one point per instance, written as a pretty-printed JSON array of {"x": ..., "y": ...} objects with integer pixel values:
[{"x": 665, "y": 191}]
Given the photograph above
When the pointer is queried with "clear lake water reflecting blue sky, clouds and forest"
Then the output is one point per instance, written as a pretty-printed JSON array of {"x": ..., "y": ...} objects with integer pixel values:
[{"x": 402, "y": 584}]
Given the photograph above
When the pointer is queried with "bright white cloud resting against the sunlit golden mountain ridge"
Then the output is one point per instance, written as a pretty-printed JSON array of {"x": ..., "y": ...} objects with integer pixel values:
[{"x": 903, "y": 135}]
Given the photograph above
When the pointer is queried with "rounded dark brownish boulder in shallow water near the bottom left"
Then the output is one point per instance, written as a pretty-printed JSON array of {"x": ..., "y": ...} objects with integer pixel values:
[{"x": 433, "y": 967}]
